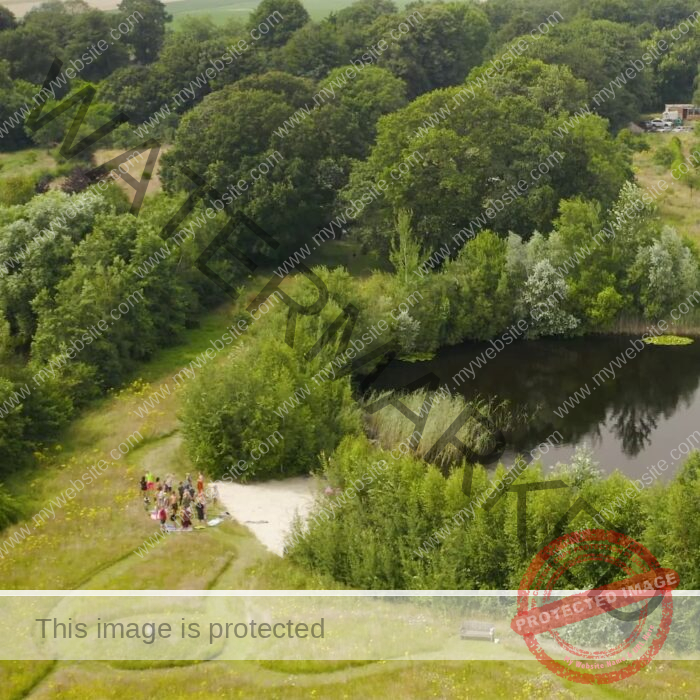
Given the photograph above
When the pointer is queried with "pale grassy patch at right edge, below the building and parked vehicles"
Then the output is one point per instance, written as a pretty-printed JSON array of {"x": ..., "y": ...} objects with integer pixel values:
[{"x": 679, "y": 206}]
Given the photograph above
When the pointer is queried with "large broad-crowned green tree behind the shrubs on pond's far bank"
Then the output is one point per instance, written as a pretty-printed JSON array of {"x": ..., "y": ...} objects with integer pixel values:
[{"x": 459, "y": 171}]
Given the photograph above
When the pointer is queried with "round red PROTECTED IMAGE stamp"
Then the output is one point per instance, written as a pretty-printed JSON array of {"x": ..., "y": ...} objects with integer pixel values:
[{"x": 643, "y": 581}]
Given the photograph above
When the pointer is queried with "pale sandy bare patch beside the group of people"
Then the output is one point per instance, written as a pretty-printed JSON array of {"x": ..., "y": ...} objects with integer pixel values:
[{"x": 268, "y": 509}]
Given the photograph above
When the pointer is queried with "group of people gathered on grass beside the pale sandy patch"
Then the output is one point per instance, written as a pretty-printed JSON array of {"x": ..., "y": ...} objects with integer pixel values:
[{"x": 175, "y": 504}]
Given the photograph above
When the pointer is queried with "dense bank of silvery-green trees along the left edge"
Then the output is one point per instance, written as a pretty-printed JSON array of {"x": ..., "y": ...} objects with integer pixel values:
[{"x": 70, "y": 262}]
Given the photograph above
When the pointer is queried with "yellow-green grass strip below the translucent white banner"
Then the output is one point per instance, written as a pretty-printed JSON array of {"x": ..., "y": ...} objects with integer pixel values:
[{"x": 525, "y": 680}]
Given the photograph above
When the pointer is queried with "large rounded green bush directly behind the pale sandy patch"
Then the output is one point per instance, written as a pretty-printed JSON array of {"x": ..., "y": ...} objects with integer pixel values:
[{"x": 238, "y": 406}]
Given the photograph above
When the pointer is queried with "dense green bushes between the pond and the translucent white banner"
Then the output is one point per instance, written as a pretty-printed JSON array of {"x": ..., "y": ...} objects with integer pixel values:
[{"x": 400, "y": 531}]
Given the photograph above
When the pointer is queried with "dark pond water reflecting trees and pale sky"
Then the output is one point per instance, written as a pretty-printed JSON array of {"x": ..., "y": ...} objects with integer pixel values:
[{"x": 630, "y": 422}]
